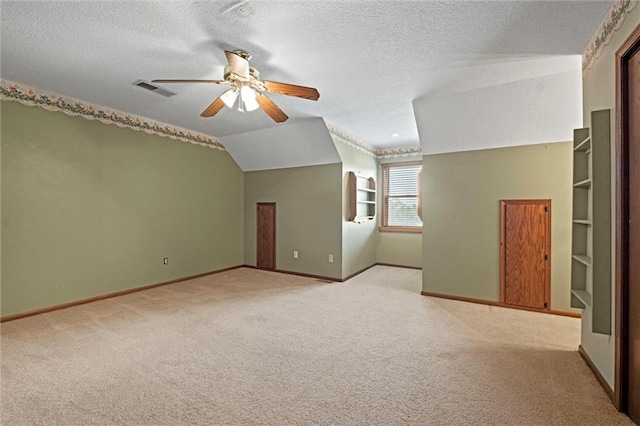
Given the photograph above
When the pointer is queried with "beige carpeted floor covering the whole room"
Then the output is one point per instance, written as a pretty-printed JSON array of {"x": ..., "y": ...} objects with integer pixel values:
[{"x": 254, "y": 347}]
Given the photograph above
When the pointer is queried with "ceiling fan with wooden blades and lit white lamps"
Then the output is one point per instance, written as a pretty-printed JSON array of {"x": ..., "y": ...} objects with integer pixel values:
[{"x": 248, "y": 89}]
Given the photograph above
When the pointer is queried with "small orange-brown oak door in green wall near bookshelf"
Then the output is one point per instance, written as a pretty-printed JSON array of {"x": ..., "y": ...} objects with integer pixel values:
[{"x": 525, "y": 253}]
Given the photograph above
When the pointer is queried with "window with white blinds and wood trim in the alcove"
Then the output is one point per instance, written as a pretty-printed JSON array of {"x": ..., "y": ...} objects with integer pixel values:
[{"x": 401, "y": 190}]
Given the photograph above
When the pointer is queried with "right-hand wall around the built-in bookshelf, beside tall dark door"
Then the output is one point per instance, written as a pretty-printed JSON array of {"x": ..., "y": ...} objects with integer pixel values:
[{"x": 599, "y": 89}]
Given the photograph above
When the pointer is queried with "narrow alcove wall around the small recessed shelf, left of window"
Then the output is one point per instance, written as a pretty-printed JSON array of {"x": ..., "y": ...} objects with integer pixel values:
[{"x": 359, "y": 240}]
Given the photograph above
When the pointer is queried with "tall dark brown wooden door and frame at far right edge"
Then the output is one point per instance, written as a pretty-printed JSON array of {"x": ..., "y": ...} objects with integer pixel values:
[{"x": 627, "y": 376}]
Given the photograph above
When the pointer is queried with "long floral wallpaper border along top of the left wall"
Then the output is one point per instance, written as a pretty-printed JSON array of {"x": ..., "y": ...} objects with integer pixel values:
[{"x": 34, "y": 97}]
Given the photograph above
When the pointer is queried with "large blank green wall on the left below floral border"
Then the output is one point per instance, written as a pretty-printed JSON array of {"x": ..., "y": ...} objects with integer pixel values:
[{"x": 90, "y": 208}]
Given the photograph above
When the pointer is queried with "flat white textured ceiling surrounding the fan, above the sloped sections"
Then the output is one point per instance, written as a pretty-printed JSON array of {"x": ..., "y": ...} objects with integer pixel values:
[{"x": 368, "y": 59}]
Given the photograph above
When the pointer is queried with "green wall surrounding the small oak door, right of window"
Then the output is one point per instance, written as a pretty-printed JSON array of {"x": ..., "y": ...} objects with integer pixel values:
[{"x": 461, "y": 214}]
